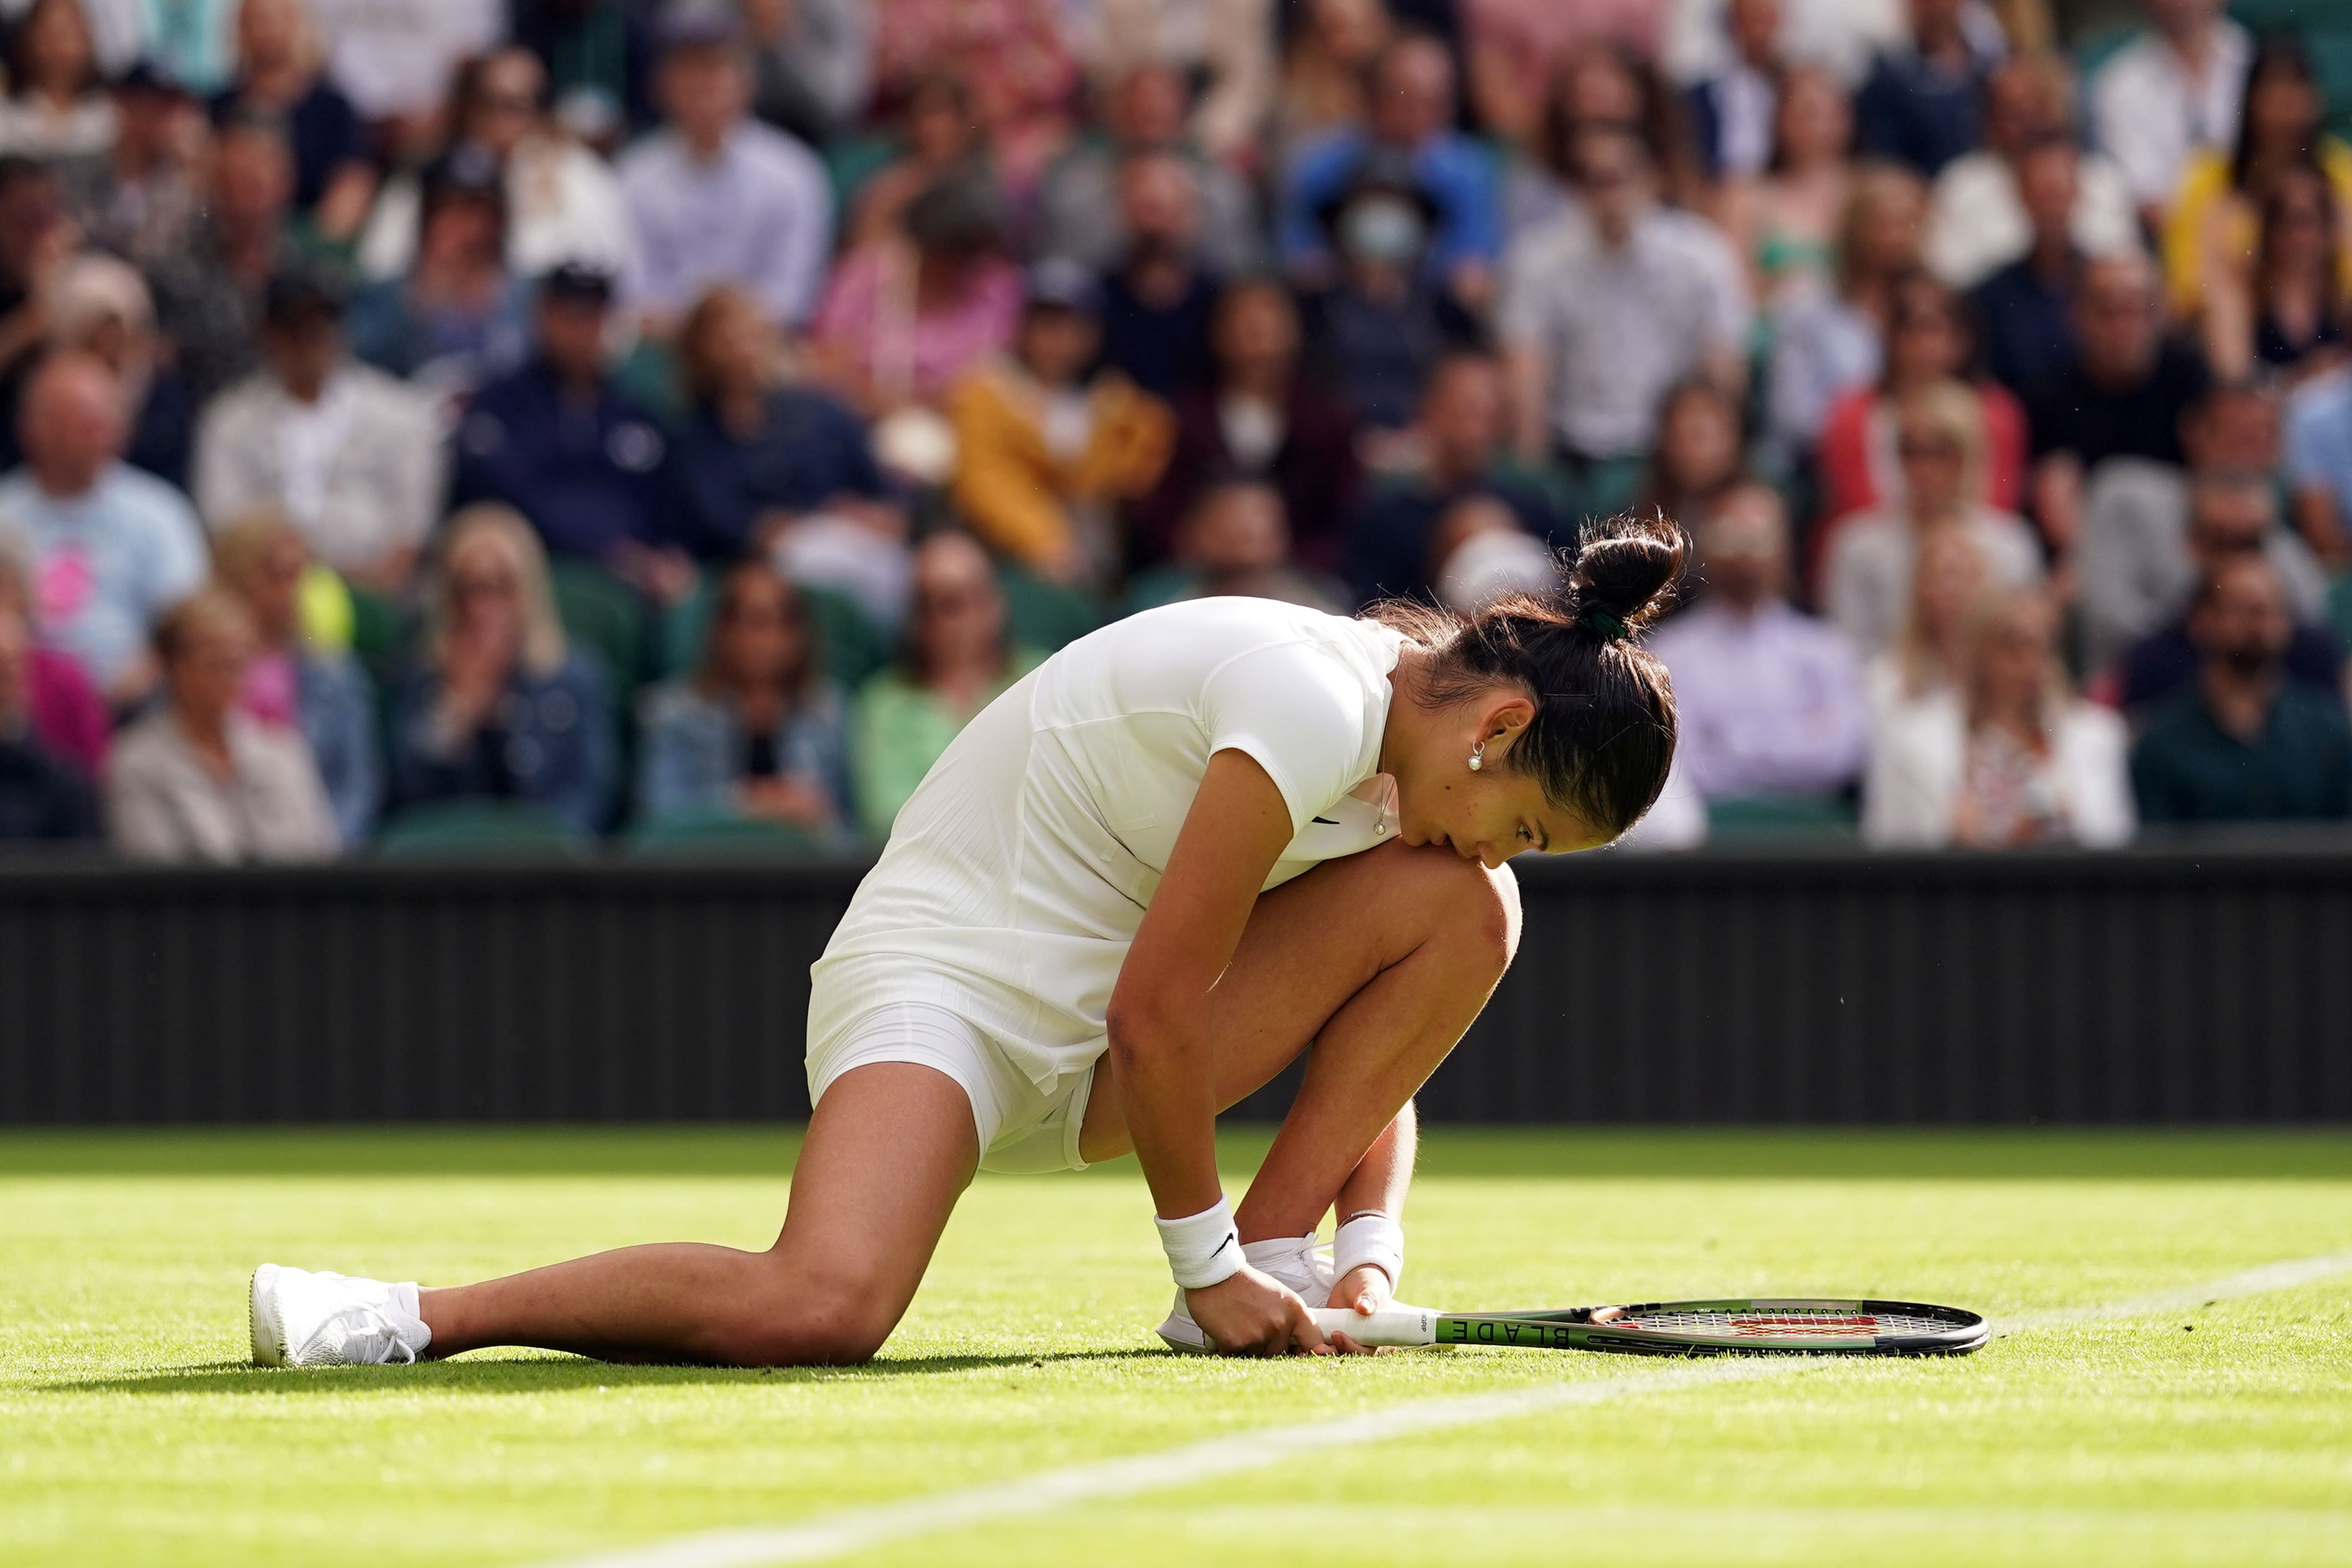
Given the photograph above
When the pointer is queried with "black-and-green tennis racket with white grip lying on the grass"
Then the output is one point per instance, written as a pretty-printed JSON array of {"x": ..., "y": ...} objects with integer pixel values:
[{"x": 1746, "y": 1327}]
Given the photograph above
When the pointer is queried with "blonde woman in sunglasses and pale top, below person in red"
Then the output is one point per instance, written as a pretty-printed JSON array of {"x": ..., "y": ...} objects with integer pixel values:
[{"x": 1942, "y": 450}]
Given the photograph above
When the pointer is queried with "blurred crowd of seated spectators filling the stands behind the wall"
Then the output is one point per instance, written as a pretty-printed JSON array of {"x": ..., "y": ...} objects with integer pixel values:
[{"x": 493, "y": 422}]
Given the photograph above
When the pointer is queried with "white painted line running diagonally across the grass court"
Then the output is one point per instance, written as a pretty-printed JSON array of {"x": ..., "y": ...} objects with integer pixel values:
[{"x": 1149, "y": 1473}]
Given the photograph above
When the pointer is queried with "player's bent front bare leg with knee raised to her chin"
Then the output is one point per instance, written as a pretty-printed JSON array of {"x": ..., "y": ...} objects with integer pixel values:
[{"x": 1382, "y": 963}]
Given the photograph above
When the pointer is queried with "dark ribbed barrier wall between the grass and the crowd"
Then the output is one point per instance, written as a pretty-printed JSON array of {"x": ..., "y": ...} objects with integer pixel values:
[{"x": 2156, "y": 986}]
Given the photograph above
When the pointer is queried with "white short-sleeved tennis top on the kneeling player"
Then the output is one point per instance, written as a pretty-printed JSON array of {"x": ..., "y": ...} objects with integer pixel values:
[{"x": 1017, "y": 873}]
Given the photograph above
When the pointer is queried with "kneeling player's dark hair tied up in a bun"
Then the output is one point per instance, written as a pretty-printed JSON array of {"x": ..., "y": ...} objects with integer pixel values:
[{"x": 1605, "y": 709}]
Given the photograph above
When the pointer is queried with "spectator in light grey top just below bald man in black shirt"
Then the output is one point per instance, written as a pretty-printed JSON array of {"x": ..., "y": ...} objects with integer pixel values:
[{"x": 2151, "y": 530}]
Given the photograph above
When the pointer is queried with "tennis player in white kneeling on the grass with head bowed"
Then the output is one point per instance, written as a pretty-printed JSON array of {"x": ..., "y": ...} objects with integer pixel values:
[{"x": 1137, "y": 885}]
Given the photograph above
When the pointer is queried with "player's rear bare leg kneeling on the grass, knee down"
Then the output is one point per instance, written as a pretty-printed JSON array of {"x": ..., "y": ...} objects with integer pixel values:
[{"x": 890, "y": 1151}]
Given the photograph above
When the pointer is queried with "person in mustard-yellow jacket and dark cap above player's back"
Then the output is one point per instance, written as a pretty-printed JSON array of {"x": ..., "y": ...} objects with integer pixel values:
[{"x": 1045, "y": 453}]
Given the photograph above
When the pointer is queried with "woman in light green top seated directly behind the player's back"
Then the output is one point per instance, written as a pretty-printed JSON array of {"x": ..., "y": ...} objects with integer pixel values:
[{"x": 958, "y": 659}]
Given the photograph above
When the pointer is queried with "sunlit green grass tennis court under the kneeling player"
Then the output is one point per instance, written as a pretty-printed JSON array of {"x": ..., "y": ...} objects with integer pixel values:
[{"x": 133, "y": 1430}]
